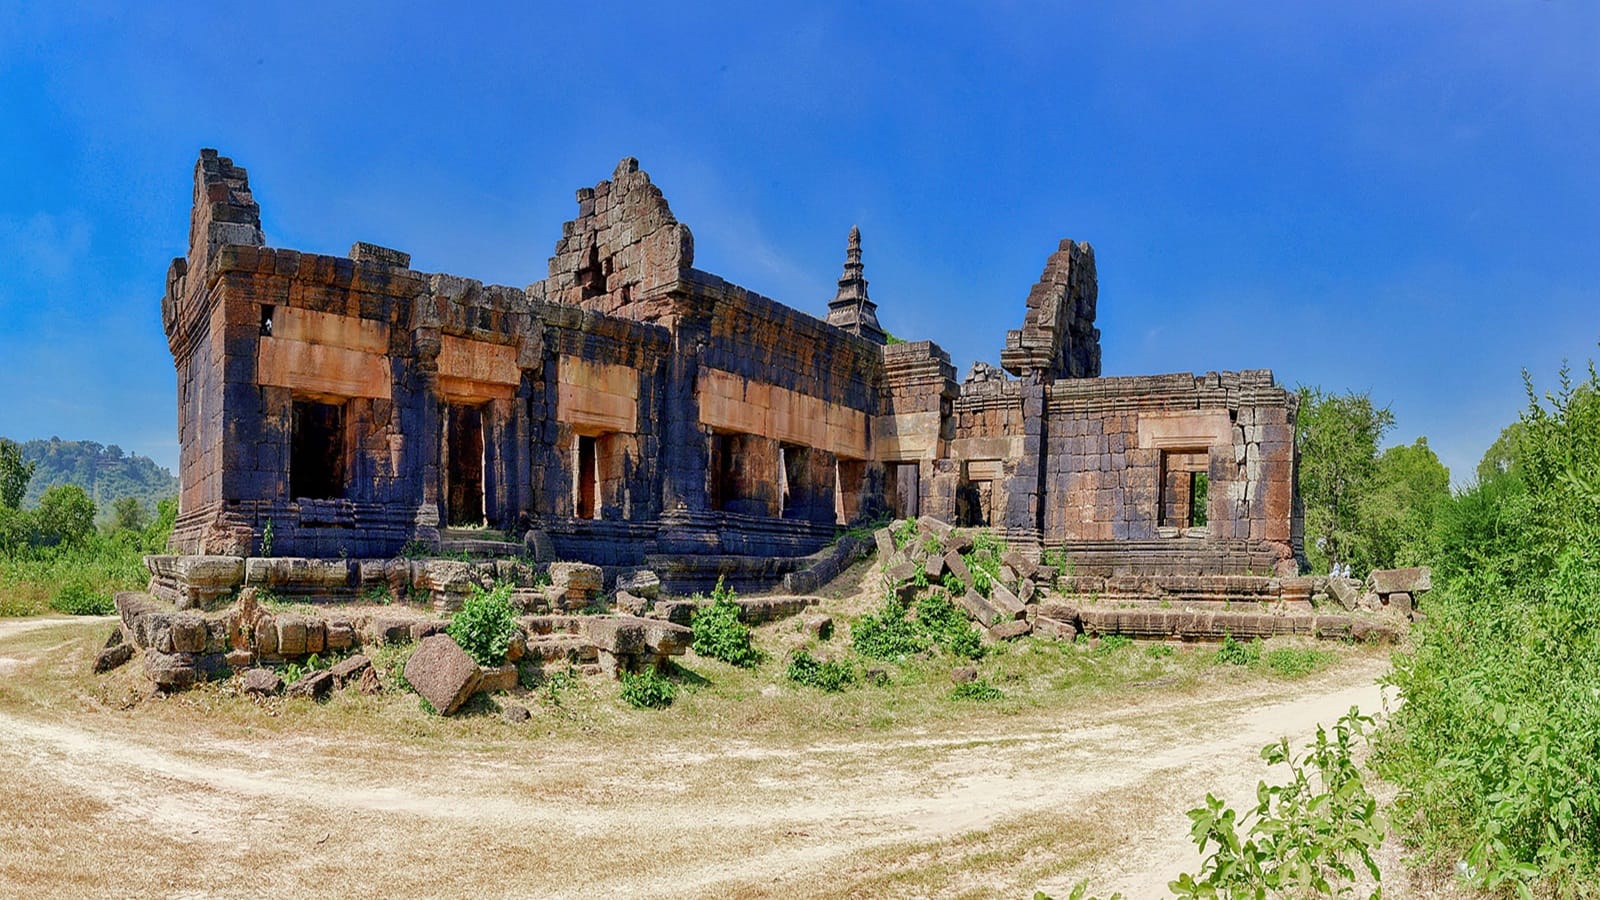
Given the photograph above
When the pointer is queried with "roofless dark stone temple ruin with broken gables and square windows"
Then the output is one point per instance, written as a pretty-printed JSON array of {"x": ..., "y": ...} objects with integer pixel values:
[{"x": 351, "y": 425}]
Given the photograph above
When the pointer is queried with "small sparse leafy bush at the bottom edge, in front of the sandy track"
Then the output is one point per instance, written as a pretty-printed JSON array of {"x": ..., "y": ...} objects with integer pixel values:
[{"x": 1305, "y": 837}]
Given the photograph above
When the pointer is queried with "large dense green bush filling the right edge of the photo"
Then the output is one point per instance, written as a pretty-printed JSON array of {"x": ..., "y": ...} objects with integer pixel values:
[{"x": 1497, "y": 739}]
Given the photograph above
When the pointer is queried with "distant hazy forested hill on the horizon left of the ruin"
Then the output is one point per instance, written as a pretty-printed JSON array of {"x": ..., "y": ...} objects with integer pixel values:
[{"x": 106, "y": 473}]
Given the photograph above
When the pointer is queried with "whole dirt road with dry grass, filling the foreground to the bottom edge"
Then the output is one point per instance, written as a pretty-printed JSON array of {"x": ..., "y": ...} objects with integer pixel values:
[{"x": 98, "y": 802}]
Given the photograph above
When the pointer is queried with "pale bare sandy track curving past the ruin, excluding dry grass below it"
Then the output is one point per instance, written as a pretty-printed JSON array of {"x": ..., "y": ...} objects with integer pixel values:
[{"x": 692, "y": 821}]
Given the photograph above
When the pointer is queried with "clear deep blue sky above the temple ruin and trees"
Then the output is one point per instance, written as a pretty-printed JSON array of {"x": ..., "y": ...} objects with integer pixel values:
[{"x": 1382, "y": 196}]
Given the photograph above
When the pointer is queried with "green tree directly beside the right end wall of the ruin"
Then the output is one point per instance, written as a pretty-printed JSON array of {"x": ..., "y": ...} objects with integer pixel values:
[{"x": 1337, "y": 438}]
